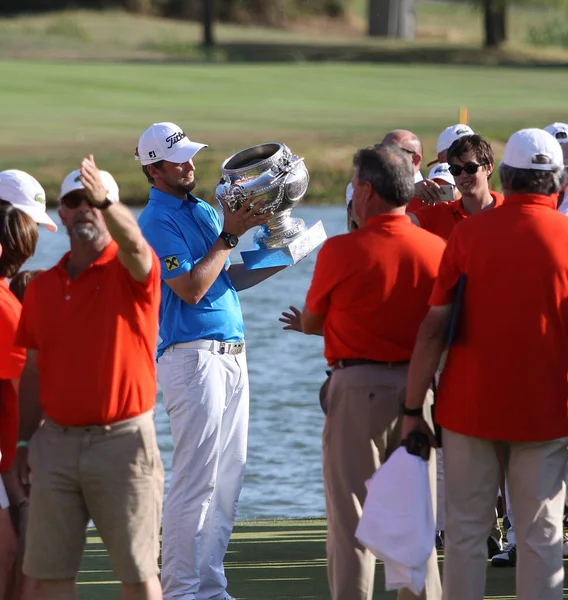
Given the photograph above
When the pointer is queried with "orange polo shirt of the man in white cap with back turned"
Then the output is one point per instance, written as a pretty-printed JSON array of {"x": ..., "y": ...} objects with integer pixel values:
[{"x": 506, "y": 376}]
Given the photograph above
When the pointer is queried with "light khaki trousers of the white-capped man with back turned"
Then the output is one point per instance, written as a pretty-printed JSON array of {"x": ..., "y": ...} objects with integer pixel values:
[{"x": 535, "y": 475}]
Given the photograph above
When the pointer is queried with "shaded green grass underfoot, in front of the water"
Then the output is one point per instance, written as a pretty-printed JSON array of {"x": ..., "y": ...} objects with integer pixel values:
[{"x": 269, "y": 560}]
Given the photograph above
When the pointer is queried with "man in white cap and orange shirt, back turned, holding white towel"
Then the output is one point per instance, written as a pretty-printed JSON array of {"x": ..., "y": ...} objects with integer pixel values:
[{"x": 507, "y": 363}]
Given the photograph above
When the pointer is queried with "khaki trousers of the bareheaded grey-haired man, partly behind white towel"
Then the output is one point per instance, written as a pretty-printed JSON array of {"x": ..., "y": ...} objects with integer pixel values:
[{"x": 362, "y": 429}]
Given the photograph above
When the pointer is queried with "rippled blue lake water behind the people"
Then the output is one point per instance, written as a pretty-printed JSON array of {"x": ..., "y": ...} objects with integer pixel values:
[{"x": 286, "y": 370}]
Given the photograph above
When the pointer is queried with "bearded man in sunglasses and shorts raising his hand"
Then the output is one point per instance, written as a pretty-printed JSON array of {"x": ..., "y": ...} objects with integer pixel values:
[{"x": 90, "y": 325}]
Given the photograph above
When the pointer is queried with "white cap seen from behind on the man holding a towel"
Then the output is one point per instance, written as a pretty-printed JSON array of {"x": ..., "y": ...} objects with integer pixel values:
[{"x": 533, "y": 149}]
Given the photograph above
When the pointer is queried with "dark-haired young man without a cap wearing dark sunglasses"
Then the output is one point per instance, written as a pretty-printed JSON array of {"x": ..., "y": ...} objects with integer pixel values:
[{"x": 471, "y": 163}]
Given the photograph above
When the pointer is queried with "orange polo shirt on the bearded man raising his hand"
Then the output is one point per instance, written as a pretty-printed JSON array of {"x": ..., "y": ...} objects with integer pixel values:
[{"x": 96, "y": 339}]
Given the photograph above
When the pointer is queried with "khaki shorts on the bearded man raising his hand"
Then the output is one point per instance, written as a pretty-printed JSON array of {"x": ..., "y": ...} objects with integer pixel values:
[{"x": 112, "y": 474}]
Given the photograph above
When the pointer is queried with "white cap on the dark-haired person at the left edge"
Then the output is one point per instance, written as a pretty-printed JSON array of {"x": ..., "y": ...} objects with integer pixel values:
[{"x": 25, "y": 193}]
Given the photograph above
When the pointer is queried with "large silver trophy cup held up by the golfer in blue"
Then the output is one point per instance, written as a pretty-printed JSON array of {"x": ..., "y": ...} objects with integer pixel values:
[{"x": 271, "y": 172}]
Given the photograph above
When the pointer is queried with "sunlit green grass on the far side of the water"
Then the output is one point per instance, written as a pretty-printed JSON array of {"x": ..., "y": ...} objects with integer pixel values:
[{"x": 54, "y": 113}]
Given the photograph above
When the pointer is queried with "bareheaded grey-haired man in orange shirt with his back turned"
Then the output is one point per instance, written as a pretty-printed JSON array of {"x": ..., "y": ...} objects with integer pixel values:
[{"x": 368, "y": 296}]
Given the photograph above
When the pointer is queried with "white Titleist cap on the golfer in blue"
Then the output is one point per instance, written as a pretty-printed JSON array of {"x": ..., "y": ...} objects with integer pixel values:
[{"x": 166, "y": 141}]
